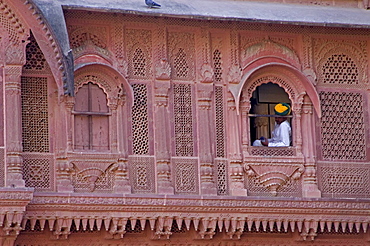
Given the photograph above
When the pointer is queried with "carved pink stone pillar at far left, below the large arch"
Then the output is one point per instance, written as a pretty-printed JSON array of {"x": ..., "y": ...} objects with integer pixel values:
[{"x": 13, "y": 124}]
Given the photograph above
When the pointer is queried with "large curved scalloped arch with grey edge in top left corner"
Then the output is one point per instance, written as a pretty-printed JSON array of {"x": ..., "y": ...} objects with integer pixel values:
[{"x": 25, "y": 16}]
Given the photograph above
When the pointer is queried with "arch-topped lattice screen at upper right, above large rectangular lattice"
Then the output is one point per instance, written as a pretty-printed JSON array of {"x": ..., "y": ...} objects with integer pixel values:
[{"x": 340, "y": 69}]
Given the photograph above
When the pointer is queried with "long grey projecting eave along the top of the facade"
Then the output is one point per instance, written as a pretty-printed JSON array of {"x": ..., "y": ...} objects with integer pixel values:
[{"x": 250, "y": 11}]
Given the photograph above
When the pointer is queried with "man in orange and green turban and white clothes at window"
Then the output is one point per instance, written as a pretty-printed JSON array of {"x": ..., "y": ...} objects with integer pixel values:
[{"x": 281, "y": 135}]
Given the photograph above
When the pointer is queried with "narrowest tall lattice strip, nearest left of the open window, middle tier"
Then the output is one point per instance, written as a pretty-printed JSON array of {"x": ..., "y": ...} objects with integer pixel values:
[{"x": 220, "y": 121}]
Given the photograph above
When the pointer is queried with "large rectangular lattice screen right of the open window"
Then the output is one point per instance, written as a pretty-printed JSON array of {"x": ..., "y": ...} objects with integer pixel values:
[{"x": 346, "y": 140}]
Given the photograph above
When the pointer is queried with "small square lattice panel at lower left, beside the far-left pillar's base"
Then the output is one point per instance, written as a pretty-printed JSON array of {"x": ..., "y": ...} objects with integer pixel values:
[{"x": 38, "y": 171}]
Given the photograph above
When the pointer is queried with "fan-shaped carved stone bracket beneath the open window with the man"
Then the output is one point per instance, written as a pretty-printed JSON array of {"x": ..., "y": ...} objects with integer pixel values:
[{"x": 274, "y": 175}]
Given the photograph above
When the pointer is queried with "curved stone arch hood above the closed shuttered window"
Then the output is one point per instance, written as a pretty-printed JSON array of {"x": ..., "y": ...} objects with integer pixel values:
[{"x": 109, "y": 79}]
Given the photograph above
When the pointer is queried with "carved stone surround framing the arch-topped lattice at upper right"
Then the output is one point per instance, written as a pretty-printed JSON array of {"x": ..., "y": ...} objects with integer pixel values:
[{"x": 353, "y": 50}]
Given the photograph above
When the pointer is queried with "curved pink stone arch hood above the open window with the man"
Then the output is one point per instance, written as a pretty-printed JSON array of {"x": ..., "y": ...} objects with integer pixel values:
[{"x": 298, "y": 80}]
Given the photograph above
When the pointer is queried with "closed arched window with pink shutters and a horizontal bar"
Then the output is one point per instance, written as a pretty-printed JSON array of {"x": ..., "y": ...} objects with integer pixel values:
[{"x": 91, "y": 122}]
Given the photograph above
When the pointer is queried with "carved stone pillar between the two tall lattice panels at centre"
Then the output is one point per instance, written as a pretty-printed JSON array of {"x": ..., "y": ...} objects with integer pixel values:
[{"x": 162, "y": 134}]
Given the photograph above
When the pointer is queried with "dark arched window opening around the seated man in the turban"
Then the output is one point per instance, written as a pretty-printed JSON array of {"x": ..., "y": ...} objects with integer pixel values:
[{"x": 262, "y": 115}]
